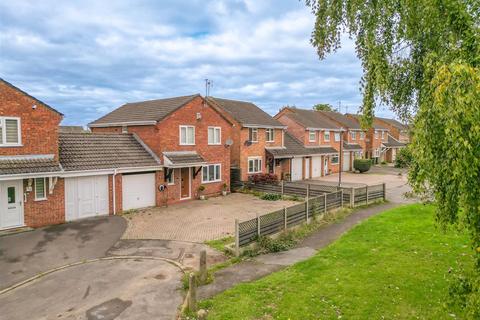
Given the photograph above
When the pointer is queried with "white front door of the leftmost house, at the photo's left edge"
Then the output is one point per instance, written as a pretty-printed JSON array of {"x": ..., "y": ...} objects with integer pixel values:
[{"x": 11, "y": 204}]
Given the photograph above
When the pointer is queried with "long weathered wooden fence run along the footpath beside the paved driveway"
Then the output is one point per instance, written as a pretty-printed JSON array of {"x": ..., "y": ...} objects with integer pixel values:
[{"x": 248, "y": 231}]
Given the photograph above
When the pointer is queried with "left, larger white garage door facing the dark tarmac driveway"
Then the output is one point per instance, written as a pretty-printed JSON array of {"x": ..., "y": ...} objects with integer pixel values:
[{"x": 86, "y": 197}]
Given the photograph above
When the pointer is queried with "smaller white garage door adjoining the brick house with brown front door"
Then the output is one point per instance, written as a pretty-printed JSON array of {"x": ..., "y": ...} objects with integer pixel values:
[{"x": 138, "y": 190}]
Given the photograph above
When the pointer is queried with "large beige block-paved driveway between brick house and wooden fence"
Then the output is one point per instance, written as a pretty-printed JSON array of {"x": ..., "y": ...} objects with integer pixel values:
[{"x": 198, "y": 221}]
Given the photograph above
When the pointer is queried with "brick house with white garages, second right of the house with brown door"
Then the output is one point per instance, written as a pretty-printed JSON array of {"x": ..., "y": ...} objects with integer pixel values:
[{"x": 313, "y": 129}]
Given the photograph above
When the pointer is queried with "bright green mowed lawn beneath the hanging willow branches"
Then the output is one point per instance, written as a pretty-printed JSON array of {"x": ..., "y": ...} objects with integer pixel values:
[{"x": 392, "y": 266}]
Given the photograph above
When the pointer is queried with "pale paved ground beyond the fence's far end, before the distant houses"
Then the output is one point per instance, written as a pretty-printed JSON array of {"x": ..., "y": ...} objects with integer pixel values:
[{"x": 395, "y": 180}]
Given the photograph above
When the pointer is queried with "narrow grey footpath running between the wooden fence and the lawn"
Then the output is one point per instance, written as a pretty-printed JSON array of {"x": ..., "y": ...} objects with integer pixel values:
[{"x": 264, "y": 265}]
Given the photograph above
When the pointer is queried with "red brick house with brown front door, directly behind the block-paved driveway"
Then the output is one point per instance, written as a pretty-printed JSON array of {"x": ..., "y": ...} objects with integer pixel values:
[{"x": 191, "y": 138}]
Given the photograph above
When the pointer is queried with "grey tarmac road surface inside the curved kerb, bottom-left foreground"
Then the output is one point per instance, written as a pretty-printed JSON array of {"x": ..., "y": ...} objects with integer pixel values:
[{"x": 112, "y": 289}]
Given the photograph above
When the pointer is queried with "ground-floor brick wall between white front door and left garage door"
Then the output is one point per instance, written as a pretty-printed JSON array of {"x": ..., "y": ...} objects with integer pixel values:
[{"x": 45, "y": 212}]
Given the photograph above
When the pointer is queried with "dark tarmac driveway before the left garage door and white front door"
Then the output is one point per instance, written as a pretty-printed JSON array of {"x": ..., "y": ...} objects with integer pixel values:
[{"x": 26, "y": 254}]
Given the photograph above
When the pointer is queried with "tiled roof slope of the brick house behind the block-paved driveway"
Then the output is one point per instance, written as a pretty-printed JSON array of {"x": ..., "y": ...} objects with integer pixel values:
[{"x": 143, "y": 111}]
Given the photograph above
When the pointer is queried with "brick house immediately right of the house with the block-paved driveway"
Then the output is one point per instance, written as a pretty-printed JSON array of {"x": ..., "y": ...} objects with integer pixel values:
[{"x": 254, "y": 133}]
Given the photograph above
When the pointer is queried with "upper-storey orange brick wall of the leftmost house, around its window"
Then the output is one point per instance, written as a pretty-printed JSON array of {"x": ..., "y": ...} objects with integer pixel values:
[{"x": 39, "y": 127}]
